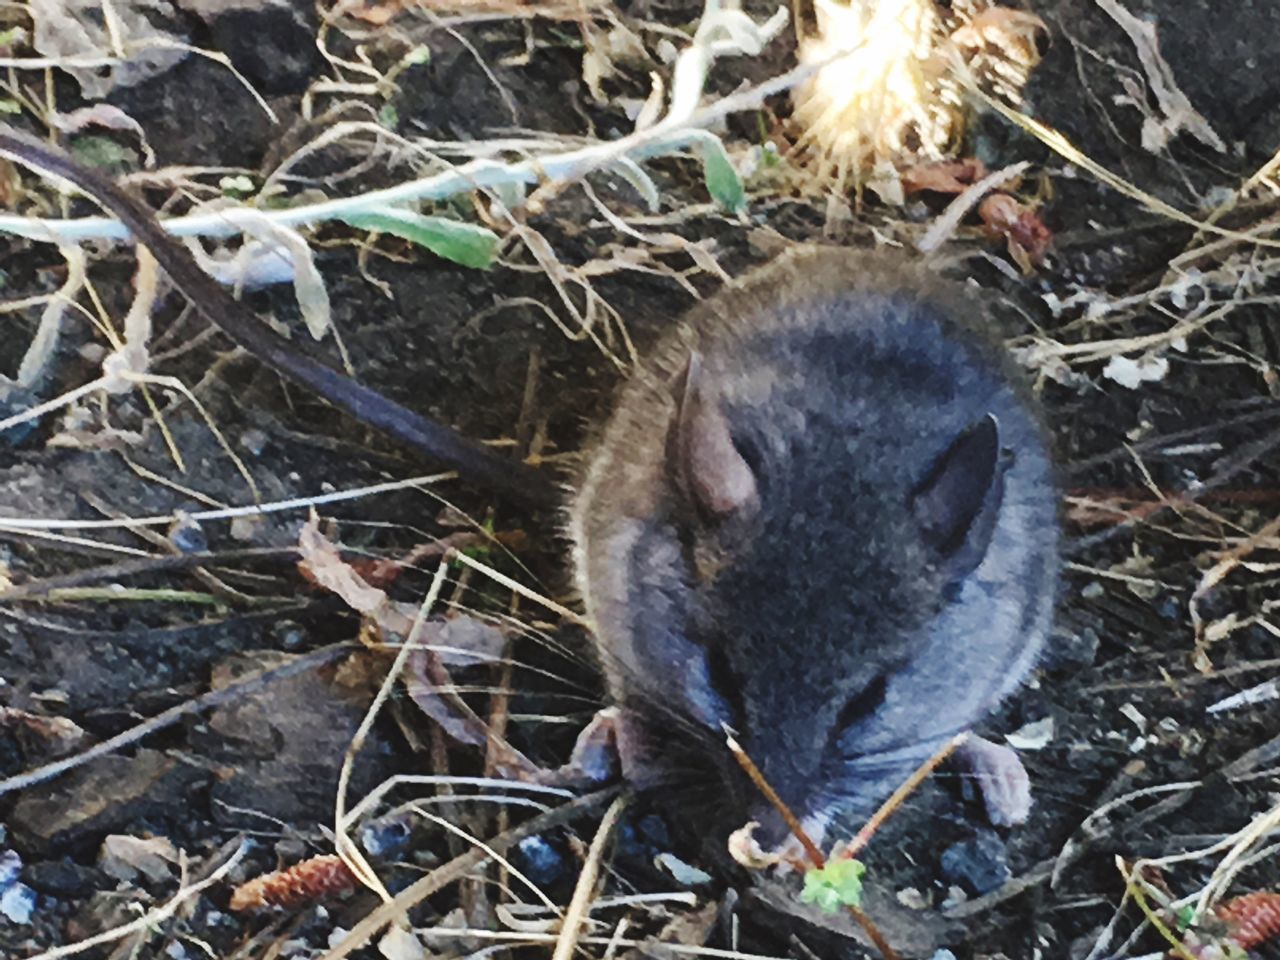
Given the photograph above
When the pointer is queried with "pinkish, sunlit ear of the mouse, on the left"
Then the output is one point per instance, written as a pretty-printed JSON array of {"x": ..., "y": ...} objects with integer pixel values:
[{"x": 707, "y": 468}]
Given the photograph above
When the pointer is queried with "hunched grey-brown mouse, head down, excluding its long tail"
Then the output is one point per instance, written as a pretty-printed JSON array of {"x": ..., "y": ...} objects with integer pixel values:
[{"x": 822, "y": 516}]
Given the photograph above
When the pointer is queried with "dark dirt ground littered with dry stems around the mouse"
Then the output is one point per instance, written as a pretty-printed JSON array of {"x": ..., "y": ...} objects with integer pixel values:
[{"x": 1165, "y": 614}]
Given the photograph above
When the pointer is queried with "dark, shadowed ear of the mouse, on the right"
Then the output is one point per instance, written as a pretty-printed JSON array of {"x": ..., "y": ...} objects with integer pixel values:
[{"x": 958, "y": 502}]
